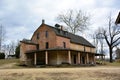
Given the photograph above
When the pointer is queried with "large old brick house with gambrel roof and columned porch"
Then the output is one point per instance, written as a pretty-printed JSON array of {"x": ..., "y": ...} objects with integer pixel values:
[{"x": 53, "y": 46}]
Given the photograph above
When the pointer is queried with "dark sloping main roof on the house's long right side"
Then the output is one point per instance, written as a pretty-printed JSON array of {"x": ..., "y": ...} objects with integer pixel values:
[{"x": 73, "y": 38}]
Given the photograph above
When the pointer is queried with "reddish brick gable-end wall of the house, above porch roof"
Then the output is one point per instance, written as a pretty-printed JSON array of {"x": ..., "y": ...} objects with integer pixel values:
[{"x": 51, "y": 39}]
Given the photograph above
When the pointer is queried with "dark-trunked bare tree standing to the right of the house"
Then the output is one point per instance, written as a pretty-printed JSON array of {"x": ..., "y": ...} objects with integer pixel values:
[{"x": 112, "y": 36}]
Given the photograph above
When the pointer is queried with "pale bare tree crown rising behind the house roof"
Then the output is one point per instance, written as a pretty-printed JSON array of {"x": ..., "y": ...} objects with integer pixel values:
[{"x": 75, "y": 20}]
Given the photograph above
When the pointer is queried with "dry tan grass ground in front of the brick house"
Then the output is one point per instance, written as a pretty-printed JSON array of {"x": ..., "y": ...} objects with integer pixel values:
[{"x": 73, "y": 73}]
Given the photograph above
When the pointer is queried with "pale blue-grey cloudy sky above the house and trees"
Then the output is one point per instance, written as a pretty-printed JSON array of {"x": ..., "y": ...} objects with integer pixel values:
[{"x": 22, "y": 17}]
